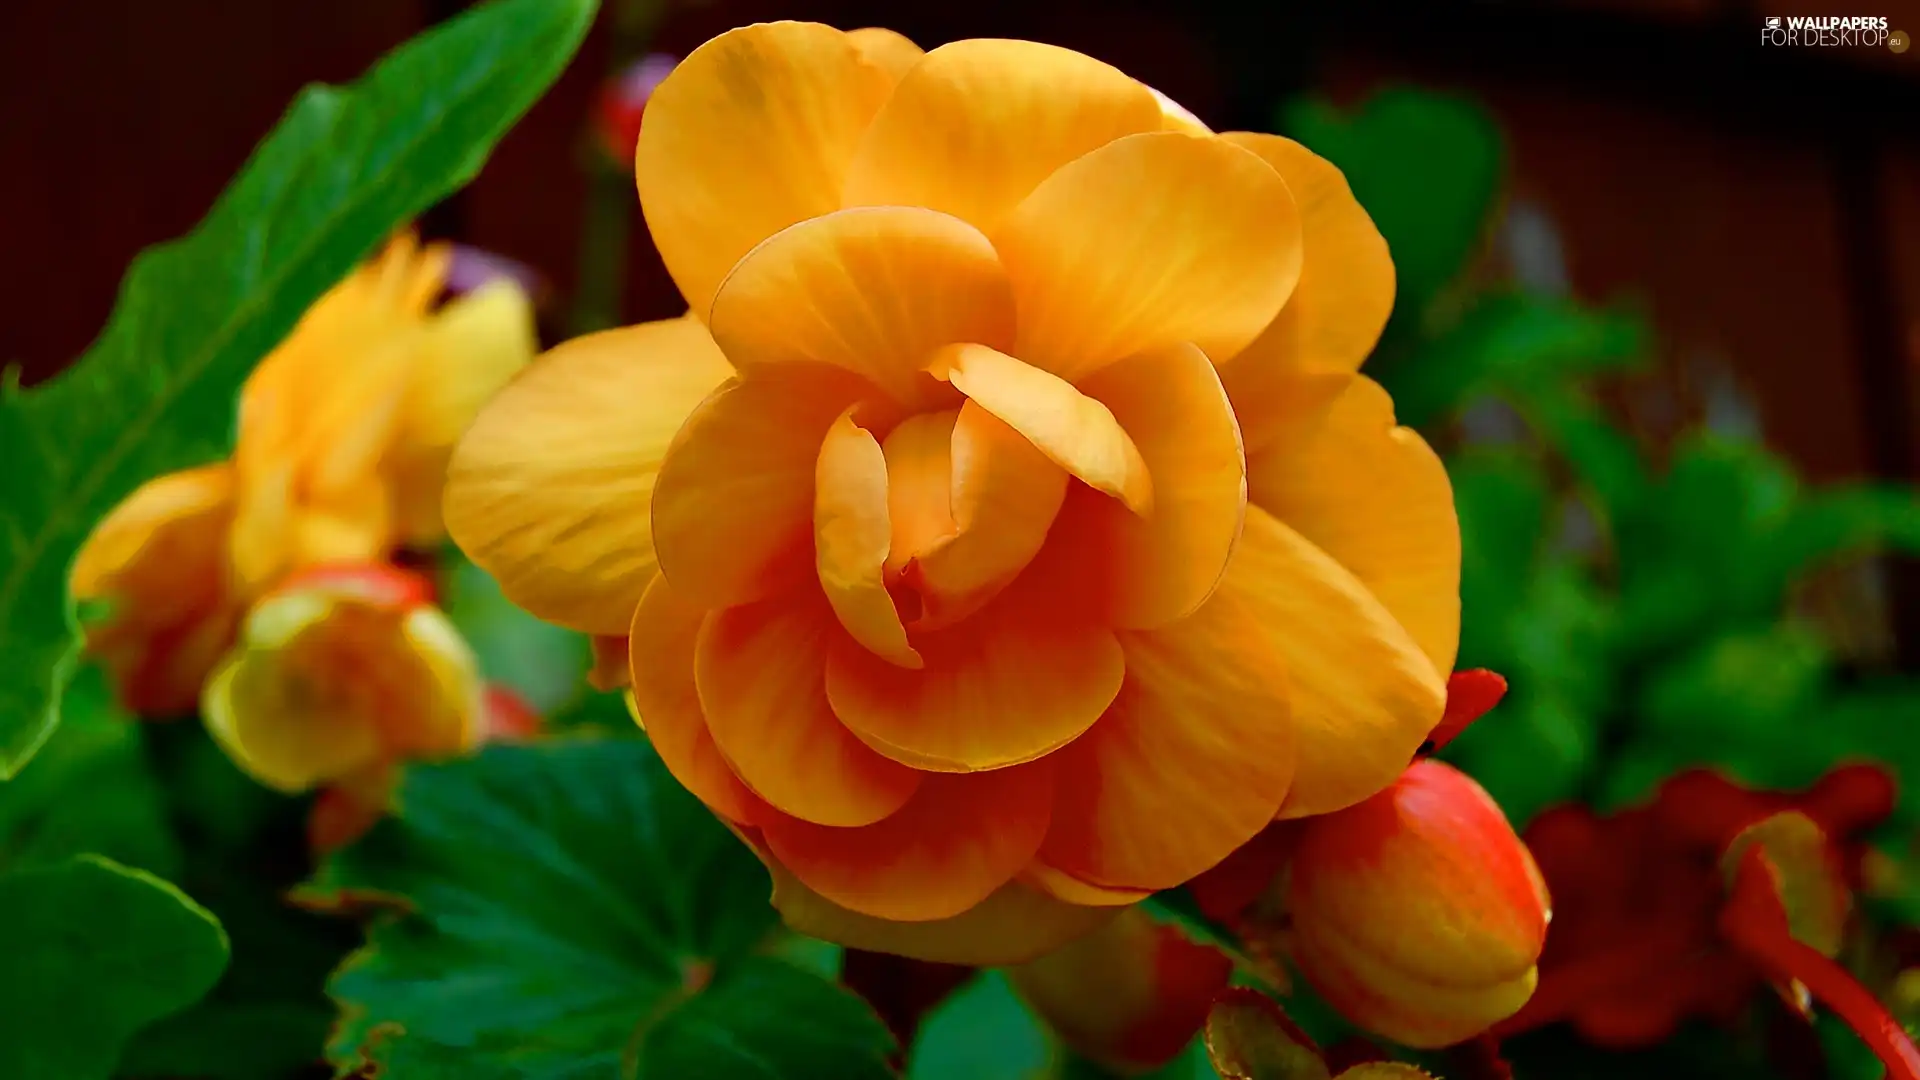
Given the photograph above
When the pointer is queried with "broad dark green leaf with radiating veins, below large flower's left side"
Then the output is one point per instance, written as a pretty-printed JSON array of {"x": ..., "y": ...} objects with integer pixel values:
[{"x": 571, "y": 912}]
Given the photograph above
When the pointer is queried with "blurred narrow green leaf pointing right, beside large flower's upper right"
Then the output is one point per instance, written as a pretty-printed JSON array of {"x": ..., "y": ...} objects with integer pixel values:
[{"x": 1510, "y": 341}]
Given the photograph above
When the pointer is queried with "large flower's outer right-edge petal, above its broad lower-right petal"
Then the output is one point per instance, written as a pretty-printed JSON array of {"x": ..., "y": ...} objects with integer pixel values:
[{"x": 1376, "y": 499}]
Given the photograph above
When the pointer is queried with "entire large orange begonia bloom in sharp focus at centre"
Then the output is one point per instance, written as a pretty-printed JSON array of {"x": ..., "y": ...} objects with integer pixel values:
[{"x": 1005, "y": 533}]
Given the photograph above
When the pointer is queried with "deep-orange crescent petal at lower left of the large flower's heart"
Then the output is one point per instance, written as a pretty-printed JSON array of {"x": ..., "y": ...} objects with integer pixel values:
[{"x": 759, "y": 672}]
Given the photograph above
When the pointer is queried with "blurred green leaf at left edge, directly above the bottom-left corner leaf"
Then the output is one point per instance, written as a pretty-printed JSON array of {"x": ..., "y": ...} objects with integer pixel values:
[{"x": 89, "y": 791}]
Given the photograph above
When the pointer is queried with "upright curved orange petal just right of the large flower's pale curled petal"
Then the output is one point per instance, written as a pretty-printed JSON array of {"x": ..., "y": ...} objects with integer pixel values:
[{"x": 1164, "y": 566}]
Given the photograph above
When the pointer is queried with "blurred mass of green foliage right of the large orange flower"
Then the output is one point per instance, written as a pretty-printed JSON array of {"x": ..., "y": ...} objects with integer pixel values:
[{"x": 1646, "y": 599}]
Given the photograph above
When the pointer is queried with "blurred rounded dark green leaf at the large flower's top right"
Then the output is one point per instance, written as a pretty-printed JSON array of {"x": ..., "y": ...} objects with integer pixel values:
[{"x": 1428, "y": 170}]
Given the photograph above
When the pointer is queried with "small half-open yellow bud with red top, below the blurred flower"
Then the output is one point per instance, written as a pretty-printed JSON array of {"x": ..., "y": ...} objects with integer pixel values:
[{"x": 341, "y": 674}]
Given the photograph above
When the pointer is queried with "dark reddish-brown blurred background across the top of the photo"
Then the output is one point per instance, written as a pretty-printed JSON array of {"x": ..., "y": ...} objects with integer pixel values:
[{"x": 1764, "y": 205}]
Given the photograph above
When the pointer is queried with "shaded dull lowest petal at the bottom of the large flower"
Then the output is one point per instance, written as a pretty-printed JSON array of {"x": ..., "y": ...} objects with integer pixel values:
[{"x": 1013, "y": 925}]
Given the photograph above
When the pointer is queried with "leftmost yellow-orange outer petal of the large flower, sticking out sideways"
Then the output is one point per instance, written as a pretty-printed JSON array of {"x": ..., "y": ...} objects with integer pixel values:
[{"x": 552, "y": 487}]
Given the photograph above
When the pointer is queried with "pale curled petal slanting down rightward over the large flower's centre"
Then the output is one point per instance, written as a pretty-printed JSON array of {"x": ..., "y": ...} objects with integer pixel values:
[{"x": 1072, "y": 430}]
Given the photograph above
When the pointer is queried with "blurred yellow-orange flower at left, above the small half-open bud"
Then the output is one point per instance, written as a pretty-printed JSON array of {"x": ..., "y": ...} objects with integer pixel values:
[{"x": 343, "y": 445}]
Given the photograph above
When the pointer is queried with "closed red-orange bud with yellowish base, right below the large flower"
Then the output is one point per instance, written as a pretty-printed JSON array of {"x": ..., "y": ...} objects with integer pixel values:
[{"x": 1418, "y": 912}]
